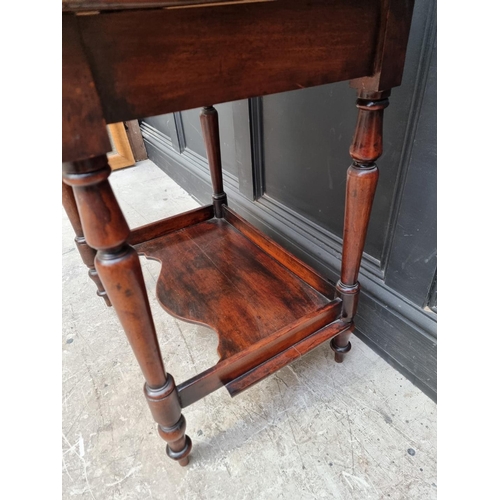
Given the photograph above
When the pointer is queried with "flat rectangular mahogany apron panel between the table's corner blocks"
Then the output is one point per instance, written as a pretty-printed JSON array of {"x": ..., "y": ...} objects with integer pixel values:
[{"x": 224, "y": 53}]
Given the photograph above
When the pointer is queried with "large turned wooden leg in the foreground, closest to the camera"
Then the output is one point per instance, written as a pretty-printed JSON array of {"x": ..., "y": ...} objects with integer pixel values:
[{"x": 118, "y": 265}]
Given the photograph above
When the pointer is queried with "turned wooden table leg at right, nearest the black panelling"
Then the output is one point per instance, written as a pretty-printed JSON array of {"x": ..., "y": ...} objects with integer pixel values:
[{"x": 362, "y": 178}]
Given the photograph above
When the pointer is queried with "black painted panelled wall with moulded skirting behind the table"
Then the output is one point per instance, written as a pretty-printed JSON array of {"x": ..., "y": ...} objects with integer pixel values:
[{"x": 285, "y": 158}]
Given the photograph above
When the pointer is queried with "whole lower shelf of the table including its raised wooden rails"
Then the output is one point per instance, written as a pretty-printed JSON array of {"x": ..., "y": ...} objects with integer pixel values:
[{"x": 266, "y": 306}]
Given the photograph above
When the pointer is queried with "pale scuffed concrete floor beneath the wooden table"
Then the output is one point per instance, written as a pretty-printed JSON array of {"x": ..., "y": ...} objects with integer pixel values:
[{"x": 313, "y": 430}]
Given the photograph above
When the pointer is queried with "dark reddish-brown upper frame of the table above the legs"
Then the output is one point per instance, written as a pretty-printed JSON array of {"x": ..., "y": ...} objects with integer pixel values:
[{"x": 125, "y": 64}]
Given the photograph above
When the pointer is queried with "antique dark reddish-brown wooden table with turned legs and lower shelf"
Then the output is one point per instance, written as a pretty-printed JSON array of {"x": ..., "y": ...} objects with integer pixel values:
[{"x": 128, "y": 59}]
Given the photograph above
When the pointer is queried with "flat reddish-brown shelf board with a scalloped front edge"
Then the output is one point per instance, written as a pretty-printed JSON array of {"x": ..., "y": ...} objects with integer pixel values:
[{"x": 215, "y": 276}]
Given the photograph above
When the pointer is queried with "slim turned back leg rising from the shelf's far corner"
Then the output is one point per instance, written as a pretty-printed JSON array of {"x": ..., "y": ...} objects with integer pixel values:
[{"x": 209, "y": 119}]
